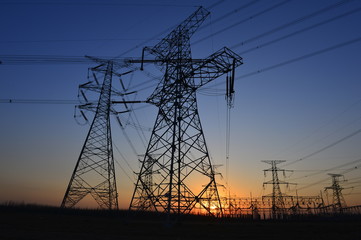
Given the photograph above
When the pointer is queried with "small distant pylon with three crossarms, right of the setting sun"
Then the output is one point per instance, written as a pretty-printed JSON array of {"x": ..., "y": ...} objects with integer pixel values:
[{"x": 277, "y": 197}]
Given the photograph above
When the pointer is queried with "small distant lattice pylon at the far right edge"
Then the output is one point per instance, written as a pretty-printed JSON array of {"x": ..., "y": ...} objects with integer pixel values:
[{"x": 338, "y": 202}]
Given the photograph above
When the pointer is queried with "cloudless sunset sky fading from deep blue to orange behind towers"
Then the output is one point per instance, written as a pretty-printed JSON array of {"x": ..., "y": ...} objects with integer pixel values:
[{"x": 298, "y": 91}]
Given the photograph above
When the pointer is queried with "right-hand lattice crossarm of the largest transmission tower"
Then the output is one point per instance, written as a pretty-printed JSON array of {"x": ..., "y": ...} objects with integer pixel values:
[{"x": 217, "y": 64}]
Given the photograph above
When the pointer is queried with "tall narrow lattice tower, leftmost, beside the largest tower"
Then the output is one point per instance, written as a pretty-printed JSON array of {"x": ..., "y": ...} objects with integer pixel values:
[{"x": 94, "y": 172}]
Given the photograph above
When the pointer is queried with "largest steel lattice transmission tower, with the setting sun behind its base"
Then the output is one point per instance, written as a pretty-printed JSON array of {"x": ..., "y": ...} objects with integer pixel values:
[{"x": 177, "y": 157}]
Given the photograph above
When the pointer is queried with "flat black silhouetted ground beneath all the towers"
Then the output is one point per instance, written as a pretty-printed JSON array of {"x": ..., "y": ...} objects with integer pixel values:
[{"x": 35, "y": 222}]
